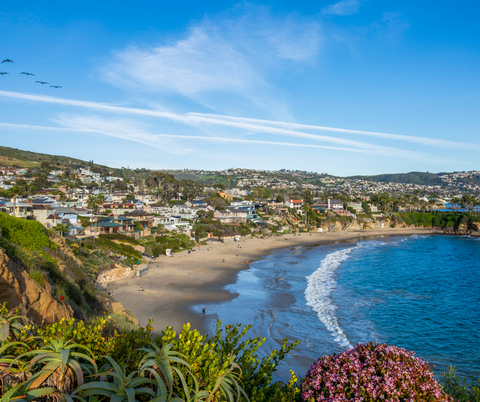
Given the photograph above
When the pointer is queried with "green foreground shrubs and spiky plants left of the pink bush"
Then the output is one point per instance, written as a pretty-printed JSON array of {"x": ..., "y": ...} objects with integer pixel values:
[{"x": 85, "y": 361}]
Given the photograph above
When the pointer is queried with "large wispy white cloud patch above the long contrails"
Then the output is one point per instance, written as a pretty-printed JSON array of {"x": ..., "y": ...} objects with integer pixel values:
[{"x": 229, "y": 54}]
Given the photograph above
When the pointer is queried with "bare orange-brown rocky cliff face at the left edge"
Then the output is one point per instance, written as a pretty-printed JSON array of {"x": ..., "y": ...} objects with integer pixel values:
[{"x": 18, "y": 290}]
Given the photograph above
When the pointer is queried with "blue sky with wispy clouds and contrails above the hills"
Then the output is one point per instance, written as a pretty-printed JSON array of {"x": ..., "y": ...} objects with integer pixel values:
[{"x": 343, "y": 87}]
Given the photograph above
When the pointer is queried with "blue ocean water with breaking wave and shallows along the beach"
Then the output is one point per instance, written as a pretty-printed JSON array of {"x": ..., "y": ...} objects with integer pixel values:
[{"x": 420, "y": 292}]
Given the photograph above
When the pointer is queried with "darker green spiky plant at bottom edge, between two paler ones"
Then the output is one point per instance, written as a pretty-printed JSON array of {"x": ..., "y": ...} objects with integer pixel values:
[{"x": 122, "y": 387}]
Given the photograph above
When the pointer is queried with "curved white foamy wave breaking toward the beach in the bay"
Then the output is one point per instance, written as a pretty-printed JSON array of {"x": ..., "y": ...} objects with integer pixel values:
[{"x": 320, "y": 286}]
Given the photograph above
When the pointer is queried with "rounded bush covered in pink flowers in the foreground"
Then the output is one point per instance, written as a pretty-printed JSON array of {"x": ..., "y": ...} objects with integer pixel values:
[{"x": 372, "y": 372}]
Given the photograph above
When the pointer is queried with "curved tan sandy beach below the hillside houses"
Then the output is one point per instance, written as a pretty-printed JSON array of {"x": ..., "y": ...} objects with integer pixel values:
[{"x": 174, "y": 284}]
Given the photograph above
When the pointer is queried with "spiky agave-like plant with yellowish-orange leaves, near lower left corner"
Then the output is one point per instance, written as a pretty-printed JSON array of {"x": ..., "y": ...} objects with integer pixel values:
[{"x": 62, "y": 365}]
